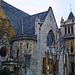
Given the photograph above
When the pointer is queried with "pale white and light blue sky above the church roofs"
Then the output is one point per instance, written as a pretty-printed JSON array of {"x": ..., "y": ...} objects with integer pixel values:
[{"x": 61, "y": 8}]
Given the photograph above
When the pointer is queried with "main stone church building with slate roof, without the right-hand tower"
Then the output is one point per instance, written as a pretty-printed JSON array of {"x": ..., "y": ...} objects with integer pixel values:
[{"x": 33, "y": 42}]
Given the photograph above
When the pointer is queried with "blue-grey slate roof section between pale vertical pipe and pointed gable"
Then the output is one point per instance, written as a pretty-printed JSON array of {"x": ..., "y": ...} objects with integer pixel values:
[{"x": 29, "y": 22}]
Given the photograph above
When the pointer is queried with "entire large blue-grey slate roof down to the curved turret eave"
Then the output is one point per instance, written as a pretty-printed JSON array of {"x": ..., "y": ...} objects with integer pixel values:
[{"x": 16, "y": 16}]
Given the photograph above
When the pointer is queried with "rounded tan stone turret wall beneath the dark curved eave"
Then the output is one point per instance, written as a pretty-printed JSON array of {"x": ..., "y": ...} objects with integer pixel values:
[{"x": 22, "y": 48}]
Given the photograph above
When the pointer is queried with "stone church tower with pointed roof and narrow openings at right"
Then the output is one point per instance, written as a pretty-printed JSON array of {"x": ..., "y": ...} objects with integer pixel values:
[{"x": 68, "y": 34}]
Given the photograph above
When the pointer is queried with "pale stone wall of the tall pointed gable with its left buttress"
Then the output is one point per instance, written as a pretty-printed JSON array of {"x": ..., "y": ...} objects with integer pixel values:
[{"x": 42, "y": 32}]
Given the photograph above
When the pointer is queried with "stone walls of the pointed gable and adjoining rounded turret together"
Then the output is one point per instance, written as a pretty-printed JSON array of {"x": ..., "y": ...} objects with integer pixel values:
[{"x": 36, "y": 48}]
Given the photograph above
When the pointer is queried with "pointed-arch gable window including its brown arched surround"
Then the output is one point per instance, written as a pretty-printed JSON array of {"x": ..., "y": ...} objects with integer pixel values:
[{"x": 50, "y": 38}]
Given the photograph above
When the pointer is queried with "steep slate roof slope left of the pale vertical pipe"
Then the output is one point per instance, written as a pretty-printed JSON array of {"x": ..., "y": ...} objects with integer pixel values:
[{"x": 14, "y": 15}]
